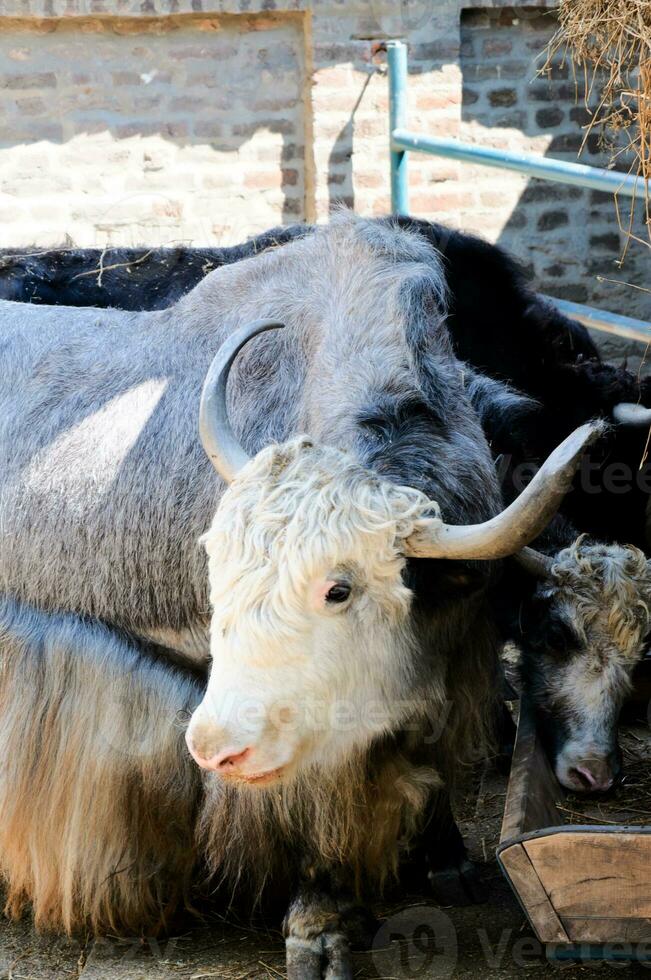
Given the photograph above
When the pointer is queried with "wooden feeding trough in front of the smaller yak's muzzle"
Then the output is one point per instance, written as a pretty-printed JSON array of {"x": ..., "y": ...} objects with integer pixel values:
[{"x": 585, "y": 888}]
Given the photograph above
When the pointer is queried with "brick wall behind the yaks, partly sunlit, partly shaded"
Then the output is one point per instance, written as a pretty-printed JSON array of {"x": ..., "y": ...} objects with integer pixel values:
[{"x": 206, "y": 120}]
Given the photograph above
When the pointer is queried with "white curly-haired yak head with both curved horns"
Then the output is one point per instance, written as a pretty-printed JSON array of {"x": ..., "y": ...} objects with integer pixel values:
[{"x": 313, "y": 652}]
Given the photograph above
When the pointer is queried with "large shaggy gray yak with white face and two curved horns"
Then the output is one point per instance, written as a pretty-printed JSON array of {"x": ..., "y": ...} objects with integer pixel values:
[{"x": 347, "y": 569}]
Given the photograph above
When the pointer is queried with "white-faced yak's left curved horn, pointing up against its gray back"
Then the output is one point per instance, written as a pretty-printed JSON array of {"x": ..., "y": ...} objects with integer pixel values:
[{"x": 215, "y": 432}]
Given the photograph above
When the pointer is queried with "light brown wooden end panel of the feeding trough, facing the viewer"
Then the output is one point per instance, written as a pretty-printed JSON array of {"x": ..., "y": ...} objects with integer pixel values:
[{"x": 591, "y": 875}]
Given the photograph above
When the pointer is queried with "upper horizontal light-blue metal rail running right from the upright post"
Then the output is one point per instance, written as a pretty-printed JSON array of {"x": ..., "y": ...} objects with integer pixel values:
[{"x": 526, "y": 163}]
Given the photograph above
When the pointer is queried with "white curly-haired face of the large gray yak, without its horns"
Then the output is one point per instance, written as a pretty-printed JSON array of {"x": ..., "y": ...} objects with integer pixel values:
[{"x": 320, "y": 681}]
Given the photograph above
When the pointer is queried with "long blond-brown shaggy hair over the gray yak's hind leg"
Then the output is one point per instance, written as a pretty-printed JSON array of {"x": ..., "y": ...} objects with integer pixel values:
[{"x": 97, "y": 795}]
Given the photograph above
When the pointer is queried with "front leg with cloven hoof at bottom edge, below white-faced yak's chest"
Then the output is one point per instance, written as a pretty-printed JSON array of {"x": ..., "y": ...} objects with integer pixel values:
[{"x": 320, "y": 925}]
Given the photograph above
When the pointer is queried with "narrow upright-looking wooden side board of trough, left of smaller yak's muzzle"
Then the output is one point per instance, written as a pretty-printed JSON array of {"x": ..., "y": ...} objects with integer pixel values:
[{"x": 533, "y": 789}]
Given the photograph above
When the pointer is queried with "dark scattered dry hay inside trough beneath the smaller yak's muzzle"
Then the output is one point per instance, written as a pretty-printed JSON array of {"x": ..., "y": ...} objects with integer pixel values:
[{"x": 630, "y": 802}]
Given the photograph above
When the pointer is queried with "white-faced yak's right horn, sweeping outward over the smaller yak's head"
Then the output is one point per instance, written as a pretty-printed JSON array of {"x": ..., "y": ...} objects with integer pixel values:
[{"x": 522, "y": 521}]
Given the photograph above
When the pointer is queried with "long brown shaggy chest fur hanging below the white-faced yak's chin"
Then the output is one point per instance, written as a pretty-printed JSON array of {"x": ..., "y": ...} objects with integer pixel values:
[{"x": 358, "y": 816}]
